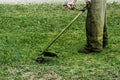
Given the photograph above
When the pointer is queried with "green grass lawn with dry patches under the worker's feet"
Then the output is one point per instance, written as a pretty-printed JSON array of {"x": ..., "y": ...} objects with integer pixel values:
[{"x": 25, "y": 30}]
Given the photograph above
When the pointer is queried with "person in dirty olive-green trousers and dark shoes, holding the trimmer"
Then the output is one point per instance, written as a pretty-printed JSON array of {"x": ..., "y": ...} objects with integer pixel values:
[{"x": 96, "y": 30}]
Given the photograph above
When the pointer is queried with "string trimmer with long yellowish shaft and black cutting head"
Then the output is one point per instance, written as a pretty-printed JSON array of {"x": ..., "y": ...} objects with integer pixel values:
[{"x": 45, "y": 52}]
